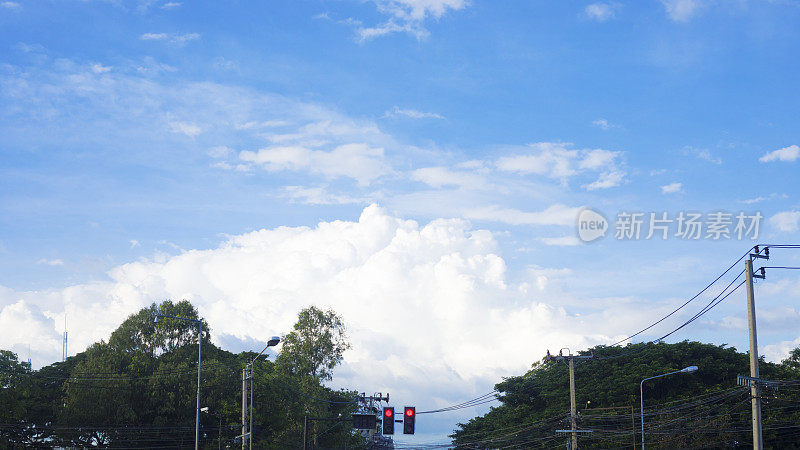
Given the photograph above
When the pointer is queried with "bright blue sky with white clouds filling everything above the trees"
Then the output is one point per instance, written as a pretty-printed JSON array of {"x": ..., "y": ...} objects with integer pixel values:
[{"x": 140, "y": 139}]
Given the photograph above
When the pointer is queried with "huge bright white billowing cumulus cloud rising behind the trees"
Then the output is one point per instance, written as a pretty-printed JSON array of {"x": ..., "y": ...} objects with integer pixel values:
[{"x": 437, "y": 283}]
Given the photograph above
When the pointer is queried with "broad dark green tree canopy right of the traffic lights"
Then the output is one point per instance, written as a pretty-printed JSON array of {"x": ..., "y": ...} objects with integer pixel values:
[{"x": 704, "y": 409}]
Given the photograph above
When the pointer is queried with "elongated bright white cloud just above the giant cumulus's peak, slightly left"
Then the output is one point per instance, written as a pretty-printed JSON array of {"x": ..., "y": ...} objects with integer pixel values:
[{"x": 358, "y": 161}]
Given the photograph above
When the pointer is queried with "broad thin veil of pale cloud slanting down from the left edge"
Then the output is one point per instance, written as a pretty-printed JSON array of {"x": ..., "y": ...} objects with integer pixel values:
[{"x": 148, "y": 114}]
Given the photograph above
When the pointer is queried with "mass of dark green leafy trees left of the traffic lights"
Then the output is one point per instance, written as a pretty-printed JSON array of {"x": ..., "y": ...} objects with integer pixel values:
[{"x": 139, "y": 388}]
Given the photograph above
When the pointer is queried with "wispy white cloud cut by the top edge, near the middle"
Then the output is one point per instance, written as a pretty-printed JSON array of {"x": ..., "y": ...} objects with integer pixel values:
[{"x": 408, "y": 16}]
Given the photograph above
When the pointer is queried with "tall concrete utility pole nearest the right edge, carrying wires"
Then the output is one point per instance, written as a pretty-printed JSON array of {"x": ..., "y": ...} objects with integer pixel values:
[{"x": 755, "y": 399}]
